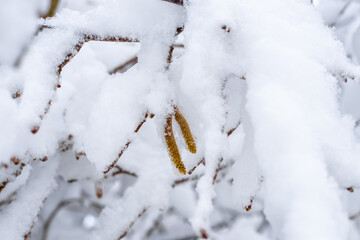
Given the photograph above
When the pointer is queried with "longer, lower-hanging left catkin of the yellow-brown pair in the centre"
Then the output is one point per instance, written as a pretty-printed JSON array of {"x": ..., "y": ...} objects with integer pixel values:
[{"x": 172, "y": 146}]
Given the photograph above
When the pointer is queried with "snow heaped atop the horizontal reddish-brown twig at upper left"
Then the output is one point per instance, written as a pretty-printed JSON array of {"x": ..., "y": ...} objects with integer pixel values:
[{"x": 113, "y": 18}]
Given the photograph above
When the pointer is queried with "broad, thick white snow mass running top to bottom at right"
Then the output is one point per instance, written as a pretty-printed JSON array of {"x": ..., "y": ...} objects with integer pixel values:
[{"x": 292, "y": 149}]
